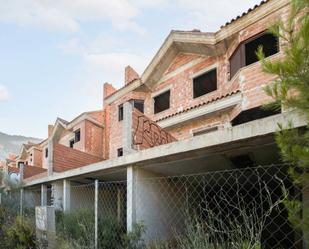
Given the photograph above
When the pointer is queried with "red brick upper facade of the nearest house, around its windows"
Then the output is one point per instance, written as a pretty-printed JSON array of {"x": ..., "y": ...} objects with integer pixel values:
[{"x": 250, "y": 80}]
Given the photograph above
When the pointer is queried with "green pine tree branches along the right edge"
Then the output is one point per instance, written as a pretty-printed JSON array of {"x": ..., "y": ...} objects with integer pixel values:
[{"x": 291, "y": 90}]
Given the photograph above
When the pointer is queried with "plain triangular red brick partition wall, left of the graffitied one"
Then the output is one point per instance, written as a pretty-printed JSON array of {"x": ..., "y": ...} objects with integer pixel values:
[{"x": 65, "y": 158}]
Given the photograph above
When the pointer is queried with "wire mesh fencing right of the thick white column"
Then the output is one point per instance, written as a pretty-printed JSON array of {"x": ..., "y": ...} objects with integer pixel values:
[{"x": 233, "y": 207}]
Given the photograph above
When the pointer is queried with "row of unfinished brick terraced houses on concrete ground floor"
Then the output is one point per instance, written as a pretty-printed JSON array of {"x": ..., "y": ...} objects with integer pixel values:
[{"x": 174, "y": 136}]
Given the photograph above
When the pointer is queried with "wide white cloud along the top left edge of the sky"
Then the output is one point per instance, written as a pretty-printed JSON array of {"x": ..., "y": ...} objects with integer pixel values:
[{"x": 67, "y": 14}]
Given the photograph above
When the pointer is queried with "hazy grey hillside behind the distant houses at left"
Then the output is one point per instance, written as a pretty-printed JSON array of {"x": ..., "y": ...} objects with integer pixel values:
[{"x": 12, "y": 143}]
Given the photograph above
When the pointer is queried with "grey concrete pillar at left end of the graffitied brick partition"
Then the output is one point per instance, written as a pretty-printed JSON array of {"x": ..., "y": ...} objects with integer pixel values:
[{"x": 127, "y": 128}]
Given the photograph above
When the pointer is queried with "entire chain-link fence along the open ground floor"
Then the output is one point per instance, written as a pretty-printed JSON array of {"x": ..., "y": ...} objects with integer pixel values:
[{"x": 239, "y": 208}]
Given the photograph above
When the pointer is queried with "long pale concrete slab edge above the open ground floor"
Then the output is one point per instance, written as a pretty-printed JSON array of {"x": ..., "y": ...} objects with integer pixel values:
[{"x": 248, "y": 130}]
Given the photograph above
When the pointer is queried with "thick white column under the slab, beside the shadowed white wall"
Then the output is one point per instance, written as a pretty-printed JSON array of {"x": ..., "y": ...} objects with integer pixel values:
[{"x": 131, "y": 197}]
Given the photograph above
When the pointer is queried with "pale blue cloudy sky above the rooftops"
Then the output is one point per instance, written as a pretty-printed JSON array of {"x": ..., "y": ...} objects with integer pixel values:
[{"x": 55, "y": 55}]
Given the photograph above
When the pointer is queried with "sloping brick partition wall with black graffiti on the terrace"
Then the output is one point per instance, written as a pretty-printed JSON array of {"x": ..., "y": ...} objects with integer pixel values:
[{"x": 146, "y": 133}]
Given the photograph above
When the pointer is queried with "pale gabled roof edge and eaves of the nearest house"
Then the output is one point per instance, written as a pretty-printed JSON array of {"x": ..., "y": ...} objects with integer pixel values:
[{"x": 193, "y": 41}]
